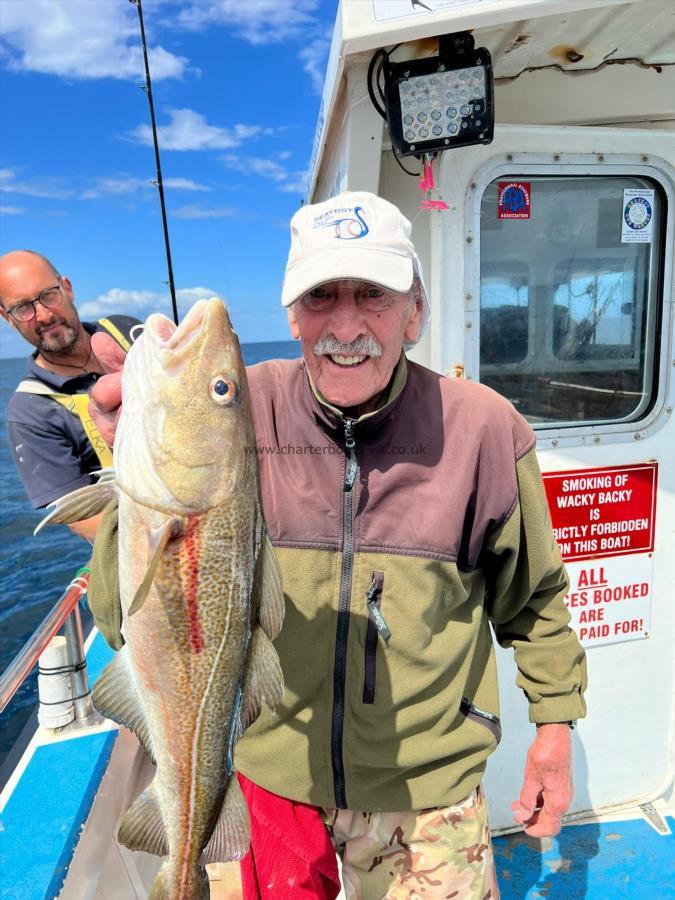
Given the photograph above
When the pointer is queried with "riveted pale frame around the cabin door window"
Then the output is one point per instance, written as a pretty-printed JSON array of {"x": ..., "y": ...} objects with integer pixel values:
[{"x": 524, "y": 165}]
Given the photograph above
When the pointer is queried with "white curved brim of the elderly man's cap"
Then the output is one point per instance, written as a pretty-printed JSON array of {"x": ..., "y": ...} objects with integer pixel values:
[{"x": 389, "y": 270}]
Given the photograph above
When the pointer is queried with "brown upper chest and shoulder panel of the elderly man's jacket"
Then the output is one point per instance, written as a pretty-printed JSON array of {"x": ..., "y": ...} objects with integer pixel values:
[{"x": 436, "y": 474}]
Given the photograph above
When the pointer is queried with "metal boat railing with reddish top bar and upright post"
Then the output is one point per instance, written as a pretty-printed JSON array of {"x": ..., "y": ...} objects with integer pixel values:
[{"x": 64, "y": 614}]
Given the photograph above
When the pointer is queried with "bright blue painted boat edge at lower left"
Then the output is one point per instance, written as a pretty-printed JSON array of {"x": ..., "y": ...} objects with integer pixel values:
[{"x": 43, "y": 818}]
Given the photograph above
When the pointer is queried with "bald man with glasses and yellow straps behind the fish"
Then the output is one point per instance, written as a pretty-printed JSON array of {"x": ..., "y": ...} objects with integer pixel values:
[{"x": 55, "y": 444}]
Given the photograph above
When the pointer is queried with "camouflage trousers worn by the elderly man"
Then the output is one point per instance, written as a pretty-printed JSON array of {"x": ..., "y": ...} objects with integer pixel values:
[{"x": 435, "y": 854}]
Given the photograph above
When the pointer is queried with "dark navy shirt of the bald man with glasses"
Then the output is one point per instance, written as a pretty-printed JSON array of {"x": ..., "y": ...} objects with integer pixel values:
[{"x": 51, "y": 450}]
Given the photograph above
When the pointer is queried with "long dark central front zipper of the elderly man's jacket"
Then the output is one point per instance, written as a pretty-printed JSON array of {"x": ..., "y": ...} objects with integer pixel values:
[{"x": 339, "y": 671}]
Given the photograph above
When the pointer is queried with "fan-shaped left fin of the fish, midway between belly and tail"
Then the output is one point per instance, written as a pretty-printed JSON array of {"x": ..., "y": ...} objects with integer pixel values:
[{"x": 116, "y": 697}]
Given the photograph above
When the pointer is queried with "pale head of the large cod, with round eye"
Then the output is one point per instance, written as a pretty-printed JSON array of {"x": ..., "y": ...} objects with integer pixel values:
[{"x": 185, "y": 440}]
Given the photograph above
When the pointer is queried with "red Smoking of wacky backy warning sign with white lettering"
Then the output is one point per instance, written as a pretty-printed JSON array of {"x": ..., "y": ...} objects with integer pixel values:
[{"x": 603, "y": 512}]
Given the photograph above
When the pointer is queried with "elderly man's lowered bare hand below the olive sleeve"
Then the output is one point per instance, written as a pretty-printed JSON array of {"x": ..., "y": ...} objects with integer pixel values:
[{"x": 547, "y": 787}]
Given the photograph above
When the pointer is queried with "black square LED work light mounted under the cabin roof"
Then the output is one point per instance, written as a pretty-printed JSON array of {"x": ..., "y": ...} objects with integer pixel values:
[{"x": 441, "y": 102}]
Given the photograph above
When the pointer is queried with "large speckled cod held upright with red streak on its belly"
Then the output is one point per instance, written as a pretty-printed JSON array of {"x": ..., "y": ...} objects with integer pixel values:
[{"x": 200, "y": 590}]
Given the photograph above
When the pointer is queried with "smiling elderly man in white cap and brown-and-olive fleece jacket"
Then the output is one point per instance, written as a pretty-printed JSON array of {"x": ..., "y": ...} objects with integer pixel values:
[{"x": 414, "y": 518}]
